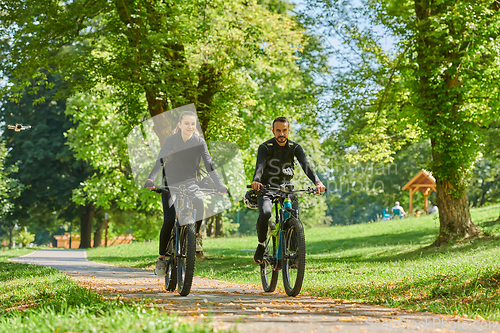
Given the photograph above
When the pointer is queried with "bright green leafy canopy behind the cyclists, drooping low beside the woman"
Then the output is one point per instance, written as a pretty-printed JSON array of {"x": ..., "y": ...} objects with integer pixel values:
[{"x": 241, "y": 63}]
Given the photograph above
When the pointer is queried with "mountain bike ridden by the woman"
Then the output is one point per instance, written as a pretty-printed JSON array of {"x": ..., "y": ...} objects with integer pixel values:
[{"x": 181, "y": 247}]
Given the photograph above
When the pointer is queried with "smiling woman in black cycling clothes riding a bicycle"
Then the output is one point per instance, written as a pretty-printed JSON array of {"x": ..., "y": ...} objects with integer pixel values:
[{"x": 181, "y": 154}]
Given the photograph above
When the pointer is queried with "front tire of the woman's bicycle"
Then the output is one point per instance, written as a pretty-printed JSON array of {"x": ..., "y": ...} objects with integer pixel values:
[{"x": 186, "y": 261}]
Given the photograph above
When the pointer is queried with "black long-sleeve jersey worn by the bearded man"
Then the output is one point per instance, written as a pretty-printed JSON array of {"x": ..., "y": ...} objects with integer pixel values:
[{"x": 275, "y": 163}]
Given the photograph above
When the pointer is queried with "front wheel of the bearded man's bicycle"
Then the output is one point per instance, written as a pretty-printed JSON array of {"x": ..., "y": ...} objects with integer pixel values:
[{"x": 294, "y": 256}]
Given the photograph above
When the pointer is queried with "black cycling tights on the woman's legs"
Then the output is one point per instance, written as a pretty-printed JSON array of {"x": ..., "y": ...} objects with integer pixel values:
[{"x": 169, "y": 219}]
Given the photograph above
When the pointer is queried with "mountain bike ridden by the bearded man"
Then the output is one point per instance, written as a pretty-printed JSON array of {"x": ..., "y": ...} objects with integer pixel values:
[{"x": 286, "y": 245}]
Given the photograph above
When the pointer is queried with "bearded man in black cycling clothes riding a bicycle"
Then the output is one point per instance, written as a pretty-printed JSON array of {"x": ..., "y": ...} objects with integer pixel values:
[{"x": 275, "y": 164}]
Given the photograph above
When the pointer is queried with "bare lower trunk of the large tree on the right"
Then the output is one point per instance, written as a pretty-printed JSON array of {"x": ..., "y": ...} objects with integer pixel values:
[{"x": 454, "y": 214}]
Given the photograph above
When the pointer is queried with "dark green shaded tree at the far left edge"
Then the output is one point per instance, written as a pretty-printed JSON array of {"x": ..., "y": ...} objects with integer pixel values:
[{"x": 42, "y": 158}]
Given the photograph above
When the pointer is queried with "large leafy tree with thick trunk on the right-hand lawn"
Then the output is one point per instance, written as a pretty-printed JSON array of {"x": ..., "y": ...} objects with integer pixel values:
[{"x": 440, "y": 83}]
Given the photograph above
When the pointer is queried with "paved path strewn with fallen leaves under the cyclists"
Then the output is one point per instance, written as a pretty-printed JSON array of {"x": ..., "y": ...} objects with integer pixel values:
[{"x": 246, "y": 307}]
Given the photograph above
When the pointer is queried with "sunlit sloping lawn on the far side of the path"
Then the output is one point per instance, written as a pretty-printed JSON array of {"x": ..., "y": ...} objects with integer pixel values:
[{"x": 388, "y": 263}]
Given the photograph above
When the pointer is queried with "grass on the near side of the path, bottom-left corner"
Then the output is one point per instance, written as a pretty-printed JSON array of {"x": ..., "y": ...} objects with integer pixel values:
[{"x": 41, "y": 299}]
